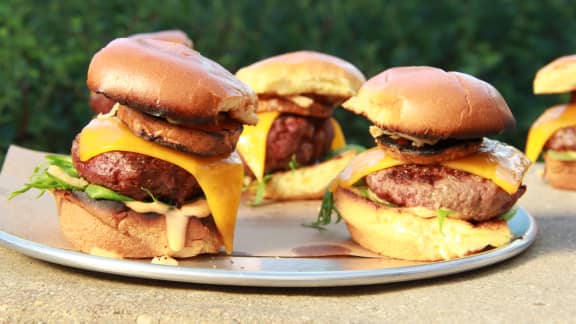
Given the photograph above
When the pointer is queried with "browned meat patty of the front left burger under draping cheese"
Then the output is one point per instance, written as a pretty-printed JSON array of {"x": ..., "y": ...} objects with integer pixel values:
[{"x": 127, "y": 173}]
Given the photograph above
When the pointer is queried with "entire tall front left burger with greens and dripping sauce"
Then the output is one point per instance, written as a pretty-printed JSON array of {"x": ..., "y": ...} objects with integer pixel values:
[{"x": 157, "y": 176}]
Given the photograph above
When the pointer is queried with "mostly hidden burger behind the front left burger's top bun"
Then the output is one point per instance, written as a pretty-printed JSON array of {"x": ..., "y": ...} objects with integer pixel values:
[{"x": 100, "y": 104}]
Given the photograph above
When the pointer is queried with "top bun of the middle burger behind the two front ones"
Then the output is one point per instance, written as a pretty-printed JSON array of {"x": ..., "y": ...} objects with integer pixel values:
[{"x": 301, "y": 73}]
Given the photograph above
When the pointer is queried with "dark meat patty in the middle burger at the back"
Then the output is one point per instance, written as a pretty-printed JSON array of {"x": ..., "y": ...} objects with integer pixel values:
[{"x": 308, "y": 139}]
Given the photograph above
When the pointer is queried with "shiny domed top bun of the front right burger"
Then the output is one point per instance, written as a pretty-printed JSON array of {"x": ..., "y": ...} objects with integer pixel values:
[{"x": 428, "y": 102}]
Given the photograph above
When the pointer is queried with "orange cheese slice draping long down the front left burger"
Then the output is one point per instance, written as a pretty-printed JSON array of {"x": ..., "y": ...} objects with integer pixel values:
[{"x": 220, "y": 178}]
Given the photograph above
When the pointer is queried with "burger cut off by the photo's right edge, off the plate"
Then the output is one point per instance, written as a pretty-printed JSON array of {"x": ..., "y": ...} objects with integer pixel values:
[{"x": 554, "y": 132}]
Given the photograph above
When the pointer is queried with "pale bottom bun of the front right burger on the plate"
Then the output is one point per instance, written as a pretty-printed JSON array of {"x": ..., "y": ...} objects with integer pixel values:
[{"x": 414, "y": 233}]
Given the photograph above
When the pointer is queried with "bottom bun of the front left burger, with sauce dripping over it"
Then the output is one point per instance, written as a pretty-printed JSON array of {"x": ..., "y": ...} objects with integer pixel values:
[{"x": 109, "y": 228}]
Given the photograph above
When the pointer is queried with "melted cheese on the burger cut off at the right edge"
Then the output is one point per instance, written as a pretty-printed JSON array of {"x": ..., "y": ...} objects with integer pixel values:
[{"x": 546, "y": 125}]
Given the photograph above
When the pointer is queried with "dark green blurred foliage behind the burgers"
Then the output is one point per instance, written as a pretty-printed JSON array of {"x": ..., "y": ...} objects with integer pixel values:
[{"x": 46, "y": 46}]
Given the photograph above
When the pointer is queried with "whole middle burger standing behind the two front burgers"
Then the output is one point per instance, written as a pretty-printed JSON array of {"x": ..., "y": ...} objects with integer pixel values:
[{"x": 286, "y": 153}]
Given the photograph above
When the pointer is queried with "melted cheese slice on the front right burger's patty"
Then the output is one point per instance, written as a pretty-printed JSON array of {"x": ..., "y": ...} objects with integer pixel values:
[{"x": 498, "y": 162}]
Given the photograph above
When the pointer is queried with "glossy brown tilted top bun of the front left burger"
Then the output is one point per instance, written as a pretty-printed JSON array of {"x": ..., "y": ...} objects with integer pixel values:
[{"x": 169, "y": 80}]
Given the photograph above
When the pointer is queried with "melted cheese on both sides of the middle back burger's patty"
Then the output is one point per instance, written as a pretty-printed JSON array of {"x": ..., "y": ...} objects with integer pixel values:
[{"x": 252, "y": 142}]
